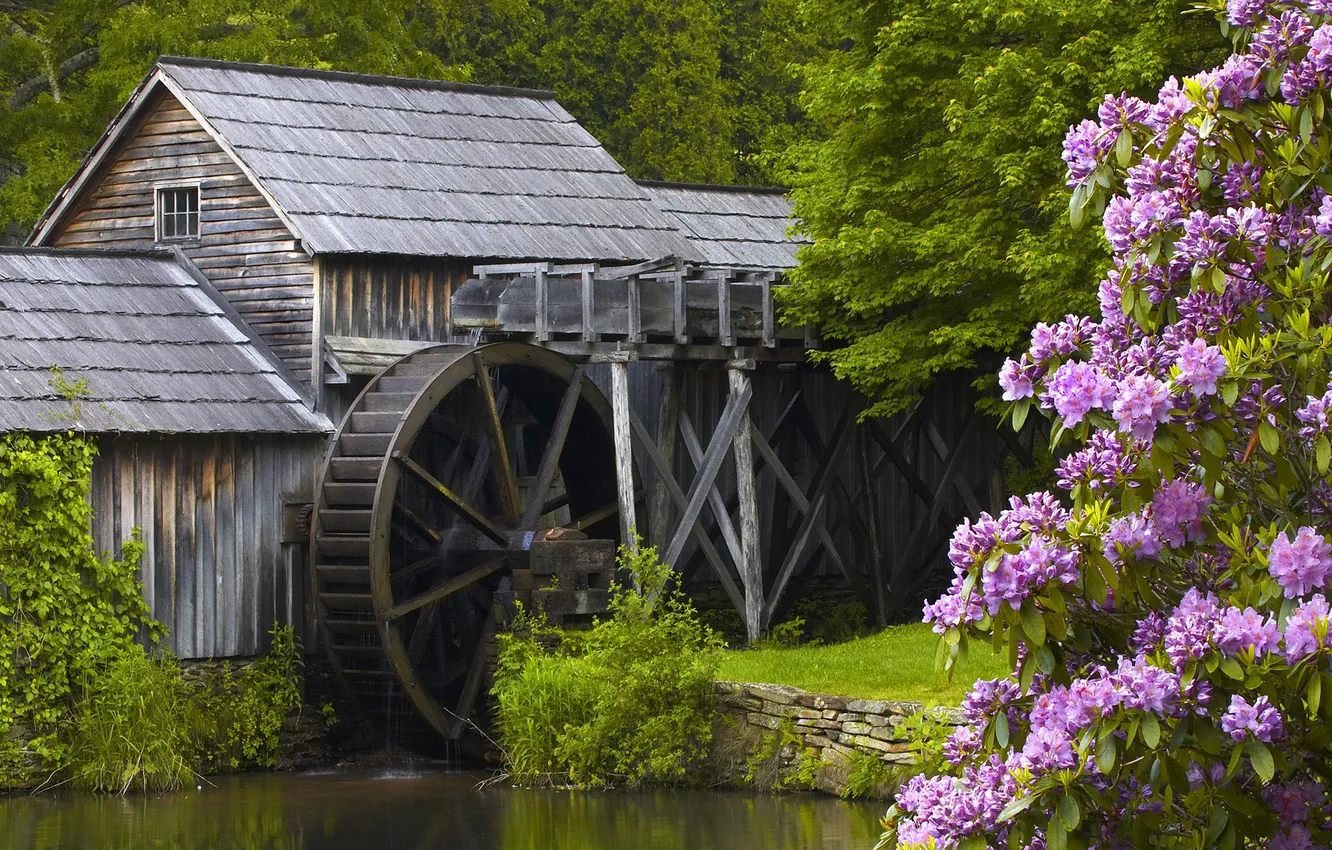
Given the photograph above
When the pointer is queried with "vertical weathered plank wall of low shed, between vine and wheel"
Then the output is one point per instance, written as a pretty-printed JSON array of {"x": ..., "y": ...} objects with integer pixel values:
[{"x": 210, "y": 511}]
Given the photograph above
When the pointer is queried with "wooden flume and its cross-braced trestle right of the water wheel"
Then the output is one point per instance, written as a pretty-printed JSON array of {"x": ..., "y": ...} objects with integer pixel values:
[{"x": 735, "y": 455}]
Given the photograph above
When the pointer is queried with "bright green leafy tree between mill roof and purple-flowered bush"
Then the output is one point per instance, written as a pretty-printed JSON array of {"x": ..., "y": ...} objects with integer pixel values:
[{"x": 936, "y": 197}]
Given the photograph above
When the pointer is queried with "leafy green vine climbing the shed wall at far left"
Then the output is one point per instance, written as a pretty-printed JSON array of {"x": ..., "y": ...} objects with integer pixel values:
[{"x": 65, "y": 608}]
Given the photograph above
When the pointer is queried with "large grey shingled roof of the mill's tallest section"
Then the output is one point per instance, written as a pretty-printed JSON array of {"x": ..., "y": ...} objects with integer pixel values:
[{"x": 390, "y": 166}]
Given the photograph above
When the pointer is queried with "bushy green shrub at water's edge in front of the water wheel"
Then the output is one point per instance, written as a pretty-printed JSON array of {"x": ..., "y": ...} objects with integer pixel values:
[{"x": 631, "y": 704}]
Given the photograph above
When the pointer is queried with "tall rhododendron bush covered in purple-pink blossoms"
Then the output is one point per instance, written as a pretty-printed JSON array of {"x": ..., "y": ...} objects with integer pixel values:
[{"x": 1166, "y": 610}]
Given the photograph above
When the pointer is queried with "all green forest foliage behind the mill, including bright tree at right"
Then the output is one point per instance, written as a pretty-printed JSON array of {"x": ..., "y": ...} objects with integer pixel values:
[{"x": 921, "y": 137}]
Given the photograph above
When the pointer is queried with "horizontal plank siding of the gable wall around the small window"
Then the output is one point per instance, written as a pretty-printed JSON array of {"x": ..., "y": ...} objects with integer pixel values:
[{"x": 250, "y": 255}]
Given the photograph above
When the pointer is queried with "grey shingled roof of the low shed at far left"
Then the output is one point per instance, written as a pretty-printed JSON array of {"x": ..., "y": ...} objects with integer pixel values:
[{"x": 158, "y": 351}]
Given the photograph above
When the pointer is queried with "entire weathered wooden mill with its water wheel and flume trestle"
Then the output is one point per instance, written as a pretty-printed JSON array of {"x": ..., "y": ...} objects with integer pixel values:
[{"x": 508, "y": 334}]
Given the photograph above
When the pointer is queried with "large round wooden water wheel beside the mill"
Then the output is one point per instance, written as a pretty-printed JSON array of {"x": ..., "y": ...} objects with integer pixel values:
[{"x": 446, "y": 468}]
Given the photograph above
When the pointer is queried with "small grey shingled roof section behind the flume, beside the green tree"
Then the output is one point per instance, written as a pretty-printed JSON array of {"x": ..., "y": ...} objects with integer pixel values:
[{"x": 732, "y": 227}]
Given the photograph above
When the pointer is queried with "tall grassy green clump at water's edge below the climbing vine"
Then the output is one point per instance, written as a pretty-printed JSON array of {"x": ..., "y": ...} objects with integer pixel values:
[{"x": 133, "y": 727}]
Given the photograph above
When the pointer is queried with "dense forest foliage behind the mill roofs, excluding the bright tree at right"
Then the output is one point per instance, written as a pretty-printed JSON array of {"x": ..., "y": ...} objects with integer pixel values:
[{"x": 677, "y": 90}]
